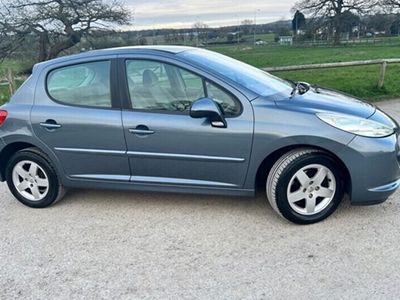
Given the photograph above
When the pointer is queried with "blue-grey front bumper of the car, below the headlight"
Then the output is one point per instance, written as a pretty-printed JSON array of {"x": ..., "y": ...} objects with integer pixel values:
[{"x": 374, "y": 168}]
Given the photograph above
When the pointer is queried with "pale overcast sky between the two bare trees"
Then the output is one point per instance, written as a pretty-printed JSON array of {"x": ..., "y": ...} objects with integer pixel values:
[{"x": 183, "y": 13}]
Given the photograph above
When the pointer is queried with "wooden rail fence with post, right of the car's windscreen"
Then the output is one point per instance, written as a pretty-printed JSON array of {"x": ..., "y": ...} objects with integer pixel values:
[{"x": 382, "y": 62}]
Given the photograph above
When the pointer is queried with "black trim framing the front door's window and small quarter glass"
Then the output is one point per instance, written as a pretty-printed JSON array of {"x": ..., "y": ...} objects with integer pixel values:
[{"x": 126, "y": 94}]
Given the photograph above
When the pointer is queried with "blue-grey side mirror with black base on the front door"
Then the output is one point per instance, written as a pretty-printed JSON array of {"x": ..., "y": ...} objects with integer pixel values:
[{"x": 207, "y": 108}]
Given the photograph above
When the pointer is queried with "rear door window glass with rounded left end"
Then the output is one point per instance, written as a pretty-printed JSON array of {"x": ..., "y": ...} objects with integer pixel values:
[{"x": 86, "y": 84}]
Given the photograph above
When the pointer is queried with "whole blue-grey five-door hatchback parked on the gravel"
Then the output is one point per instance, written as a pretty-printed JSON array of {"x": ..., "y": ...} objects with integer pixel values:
[{"x": 180, "y": 119}]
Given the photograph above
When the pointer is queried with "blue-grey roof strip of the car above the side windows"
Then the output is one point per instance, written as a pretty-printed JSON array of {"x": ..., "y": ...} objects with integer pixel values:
[{"x": 118, "y": 50}]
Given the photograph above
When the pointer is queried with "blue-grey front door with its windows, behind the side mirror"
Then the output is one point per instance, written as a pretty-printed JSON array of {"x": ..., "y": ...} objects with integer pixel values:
[{"x": 166, "y": 146}]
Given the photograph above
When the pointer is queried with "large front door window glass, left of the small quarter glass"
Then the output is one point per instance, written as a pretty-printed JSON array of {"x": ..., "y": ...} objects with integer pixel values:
[{"x": 158, "y": 86}]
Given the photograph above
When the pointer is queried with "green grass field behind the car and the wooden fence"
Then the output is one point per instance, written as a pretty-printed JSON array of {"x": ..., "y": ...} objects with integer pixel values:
[{"x": 359, "y": 81}]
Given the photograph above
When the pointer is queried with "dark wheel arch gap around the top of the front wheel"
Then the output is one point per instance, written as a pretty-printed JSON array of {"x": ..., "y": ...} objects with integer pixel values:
[{"x": 265, "y": 167}]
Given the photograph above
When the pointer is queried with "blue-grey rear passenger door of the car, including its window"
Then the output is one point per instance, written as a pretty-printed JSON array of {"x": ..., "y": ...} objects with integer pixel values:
[{"x": 77, "y": 115}]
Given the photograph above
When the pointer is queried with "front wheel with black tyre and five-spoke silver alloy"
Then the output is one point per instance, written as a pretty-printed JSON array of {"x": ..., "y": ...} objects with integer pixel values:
[{"x": 305, "y": 186}]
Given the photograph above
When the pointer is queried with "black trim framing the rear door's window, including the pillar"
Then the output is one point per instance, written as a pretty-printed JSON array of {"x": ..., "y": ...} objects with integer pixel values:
[{"x": 115, "y": 102}]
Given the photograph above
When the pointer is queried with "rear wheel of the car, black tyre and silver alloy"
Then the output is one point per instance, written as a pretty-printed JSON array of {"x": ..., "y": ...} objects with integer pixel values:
[{"x": 32, "y": 179}]
